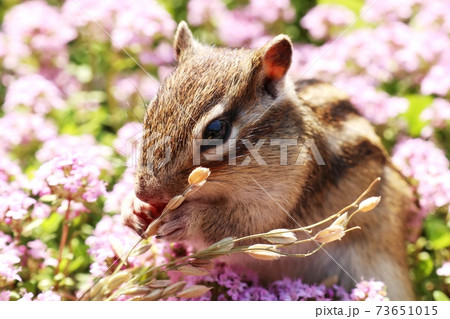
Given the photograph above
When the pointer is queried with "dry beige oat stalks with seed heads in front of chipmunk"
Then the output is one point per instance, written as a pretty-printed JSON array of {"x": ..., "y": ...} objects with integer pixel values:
[{"x": 144, "y": 285}]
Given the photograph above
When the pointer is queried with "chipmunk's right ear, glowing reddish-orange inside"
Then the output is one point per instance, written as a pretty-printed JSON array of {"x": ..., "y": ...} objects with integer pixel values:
[{"x": 276, "y": 57}]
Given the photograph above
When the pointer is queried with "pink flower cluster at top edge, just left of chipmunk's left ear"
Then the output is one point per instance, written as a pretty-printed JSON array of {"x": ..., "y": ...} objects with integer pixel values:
[{"x": 137, "y": 26}]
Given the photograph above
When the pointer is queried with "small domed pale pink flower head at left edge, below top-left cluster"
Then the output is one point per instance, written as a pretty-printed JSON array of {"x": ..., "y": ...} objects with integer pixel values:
[{"x": 34, "y": 92}]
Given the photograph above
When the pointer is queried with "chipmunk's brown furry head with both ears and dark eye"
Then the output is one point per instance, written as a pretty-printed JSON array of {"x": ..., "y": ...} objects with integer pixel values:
[{"x": 214, "y": 102}]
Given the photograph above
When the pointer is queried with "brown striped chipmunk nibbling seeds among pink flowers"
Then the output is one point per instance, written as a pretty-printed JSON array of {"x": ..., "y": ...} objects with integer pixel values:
[{"x": 218, "y": 95}]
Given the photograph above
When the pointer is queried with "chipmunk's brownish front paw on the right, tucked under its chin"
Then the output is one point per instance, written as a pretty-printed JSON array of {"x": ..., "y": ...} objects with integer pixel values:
[{"x": 174, "y": 226}]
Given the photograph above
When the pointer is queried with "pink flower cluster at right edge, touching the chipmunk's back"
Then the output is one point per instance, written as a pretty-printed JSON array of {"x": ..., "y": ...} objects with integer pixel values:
[{"x": 424, "y": 162}]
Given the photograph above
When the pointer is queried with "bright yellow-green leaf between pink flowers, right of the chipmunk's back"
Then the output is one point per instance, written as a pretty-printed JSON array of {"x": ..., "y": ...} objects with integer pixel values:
[{"x": 417, "y": 103}]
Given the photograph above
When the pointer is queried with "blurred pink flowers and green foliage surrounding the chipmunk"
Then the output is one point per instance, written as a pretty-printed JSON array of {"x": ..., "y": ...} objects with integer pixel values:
[{"x": 75, "y": 77}]
